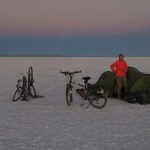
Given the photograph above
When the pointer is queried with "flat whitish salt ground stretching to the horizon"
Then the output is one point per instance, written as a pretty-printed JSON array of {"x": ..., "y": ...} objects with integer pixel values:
[{"x": 49, "y": 124}]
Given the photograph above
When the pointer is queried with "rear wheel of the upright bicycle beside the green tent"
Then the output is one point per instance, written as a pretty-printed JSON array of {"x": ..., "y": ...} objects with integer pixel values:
[{"x": 97, "y": 100}]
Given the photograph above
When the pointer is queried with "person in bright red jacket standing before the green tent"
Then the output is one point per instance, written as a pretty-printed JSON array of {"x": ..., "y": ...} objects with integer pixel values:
[{"x": 120, "y": 67}]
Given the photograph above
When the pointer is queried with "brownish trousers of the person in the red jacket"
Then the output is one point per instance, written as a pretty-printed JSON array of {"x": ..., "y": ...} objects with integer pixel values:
[{"x": 121, "y": 82}]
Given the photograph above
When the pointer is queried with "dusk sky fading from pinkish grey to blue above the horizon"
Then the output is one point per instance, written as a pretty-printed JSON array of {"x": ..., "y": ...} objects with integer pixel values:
[{"x": 74, "y": 27}]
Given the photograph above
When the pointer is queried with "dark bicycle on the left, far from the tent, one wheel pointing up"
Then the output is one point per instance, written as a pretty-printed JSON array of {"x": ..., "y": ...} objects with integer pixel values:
[{"x": 25, "y": 88}]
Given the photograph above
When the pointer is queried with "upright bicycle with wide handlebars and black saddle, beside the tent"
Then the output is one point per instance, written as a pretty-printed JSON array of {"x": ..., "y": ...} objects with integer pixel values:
[{"x": 89, "y": 92}]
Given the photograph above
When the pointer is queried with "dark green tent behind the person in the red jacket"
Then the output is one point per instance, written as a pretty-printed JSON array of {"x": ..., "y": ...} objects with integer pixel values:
[{"x": 137, "y": 81}]
